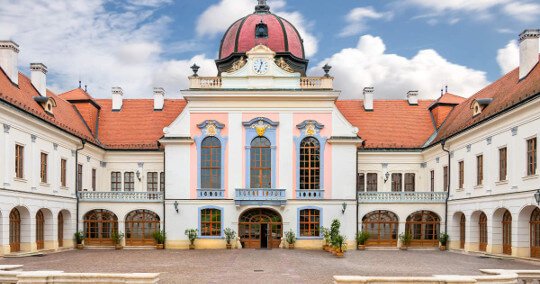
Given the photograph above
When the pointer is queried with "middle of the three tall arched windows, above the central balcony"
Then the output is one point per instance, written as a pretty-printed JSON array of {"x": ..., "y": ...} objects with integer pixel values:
[{"x": 260, "y": 163}]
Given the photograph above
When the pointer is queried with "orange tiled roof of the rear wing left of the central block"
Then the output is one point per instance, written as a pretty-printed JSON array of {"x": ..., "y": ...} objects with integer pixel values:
[{"x": 136, "y": 125}]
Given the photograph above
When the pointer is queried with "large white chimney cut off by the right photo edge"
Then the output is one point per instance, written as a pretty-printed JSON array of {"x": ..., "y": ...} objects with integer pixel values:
[{"x": 528, "y": 51}]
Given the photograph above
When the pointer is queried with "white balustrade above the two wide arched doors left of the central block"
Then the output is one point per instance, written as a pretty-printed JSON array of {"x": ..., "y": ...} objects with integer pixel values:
[{"x": 120, "y": 196}]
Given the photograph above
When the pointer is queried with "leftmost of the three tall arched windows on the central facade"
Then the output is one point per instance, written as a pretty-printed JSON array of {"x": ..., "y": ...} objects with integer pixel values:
[{"x": 211, "y": 163}]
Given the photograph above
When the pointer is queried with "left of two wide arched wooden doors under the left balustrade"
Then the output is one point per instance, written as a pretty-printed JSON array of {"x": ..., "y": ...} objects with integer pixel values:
[{"x": 99, "y": 225}]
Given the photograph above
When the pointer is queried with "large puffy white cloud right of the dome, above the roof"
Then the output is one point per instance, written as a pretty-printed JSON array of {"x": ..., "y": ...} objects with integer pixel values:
[{"x": 393, "y": 75}]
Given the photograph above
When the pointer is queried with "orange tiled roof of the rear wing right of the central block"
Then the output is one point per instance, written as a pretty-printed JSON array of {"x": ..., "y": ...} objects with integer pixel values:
[{"x": 392, "y": 123}]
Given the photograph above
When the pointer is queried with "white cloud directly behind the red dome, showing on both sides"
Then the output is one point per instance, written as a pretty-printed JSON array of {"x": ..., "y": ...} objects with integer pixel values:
[{"x": 217, "y": 18}]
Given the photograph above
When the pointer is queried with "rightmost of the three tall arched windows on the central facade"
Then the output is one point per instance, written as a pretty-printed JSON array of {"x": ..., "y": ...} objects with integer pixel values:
[{"x": 310, "y": 162}]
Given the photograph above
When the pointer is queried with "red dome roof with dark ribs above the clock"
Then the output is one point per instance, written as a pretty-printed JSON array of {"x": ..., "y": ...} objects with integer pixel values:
[{"x": 282, "y": 36}]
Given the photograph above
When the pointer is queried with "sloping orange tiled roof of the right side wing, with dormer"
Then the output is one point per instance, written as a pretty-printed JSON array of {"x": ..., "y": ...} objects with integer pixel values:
[{"x": 505, "y": 92}]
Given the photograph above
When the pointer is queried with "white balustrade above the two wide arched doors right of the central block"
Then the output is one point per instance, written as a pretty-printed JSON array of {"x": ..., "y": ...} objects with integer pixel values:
[{"x": 401, "y": 197}]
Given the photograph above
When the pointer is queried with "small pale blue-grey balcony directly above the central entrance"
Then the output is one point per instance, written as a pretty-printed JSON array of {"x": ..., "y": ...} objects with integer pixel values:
[{"x": 260, "y": 196}]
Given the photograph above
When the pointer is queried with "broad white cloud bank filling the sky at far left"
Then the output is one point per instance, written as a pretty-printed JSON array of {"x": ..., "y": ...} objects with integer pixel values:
[{"x": 101, "y": 47}]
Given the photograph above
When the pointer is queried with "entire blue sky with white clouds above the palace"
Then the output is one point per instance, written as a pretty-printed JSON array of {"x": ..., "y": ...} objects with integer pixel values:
[{"x": 394, "y": 46}]
